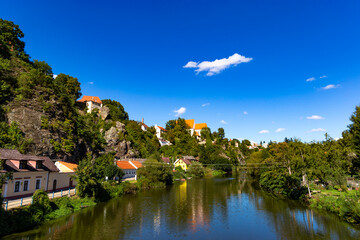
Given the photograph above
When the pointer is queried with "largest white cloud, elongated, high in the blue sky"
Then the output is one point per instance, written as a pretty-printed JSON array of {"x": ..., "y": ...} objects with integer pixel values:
[{"x": 217, "y": 65}]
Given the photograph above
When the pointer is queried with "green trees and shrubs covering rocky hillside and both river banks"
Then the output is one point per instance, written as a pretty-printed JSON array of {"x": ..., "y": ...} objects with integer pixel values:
[{"x": 315, "y": 173}]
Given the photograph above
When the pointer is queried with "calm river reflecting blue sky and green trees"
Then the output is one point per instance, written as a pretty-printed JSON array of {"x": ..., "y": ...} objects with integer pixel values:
[{"x": 219, "y": 208}]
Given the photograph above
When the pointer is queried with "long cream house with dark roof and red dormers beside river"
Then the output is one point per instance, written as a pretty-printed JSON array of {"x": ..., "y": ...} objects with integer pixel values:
[{"x": 30, "y": 173}]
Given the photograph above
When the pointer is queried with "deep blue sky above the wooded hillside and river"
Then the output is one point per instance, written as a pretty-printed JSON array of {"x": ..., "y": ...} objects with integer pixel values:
[{"x": 135, "y": 52}]
